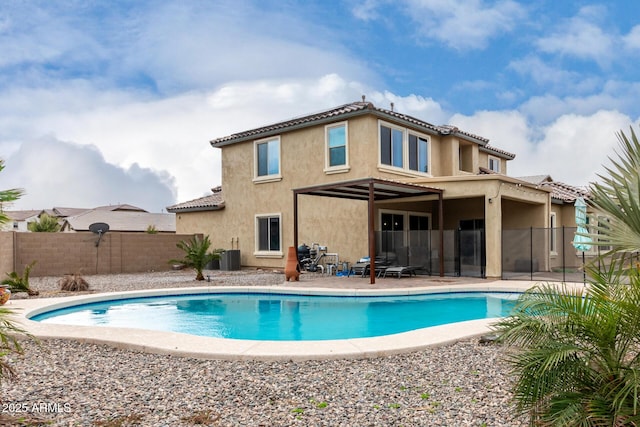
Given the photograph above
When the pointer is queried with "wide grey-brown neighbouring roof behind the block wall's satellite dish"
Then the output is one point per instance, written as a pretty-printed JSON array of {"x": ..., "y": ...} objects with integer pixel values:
[{"x": 121, "y": 221}]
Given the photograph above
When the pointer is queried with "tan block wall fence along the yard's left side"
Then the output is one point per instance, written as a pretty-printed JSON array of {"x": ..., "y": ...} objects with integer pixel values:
[{"x": 57, "y": 254}]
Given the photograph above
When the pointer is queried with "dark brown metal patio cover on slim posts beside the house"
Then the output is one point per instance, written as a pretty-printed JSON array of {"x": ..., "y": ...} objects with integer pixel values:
[{"x": 371, "y": 189}]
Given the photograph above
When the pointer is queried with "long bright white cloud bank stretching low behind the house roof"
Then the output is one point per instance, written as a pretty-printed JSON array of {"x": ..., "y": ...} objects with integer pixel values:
[{"x": 167, "y": 139}]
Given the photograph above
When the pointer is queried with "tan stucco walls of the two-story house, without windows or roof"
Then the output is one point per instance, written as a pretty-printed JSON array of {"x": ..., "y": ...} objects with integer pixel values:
[{"x": 341, "y": 225}]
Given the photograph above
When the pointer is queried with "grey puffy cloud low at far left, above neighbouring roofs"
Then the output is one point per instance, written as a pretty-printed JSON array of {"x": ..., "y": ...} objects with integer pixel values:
[{"x": 57, "y": 173}]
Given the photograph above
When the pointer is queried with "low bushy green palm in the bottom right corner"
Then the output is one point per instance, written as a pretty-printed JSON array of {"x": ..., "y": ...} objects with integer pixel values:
[{"x": 575, "y": 354}]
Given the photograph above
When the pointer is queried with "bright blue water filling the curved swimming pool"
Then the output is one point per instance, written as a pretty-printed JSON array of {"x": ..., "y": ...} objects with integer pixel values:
[{"x": 255, "y": 316}]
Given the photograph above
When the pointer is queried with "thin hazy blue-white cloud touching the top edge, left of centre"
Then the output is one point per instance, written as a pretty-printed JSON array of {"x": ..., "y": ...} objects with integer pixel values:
[{"x": 183, "y": 46}]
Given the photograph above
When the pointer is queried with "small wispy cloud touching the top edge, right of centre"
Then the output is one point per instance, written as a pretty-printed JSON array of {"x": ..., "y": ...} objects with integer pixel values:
[{"x": 468, "y": 24}]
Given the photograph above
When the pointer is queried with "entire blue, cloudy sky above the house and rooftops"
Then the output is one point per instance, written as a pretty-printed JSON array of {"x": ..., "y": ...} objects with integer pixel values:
[{"x": 109, "y": 102}]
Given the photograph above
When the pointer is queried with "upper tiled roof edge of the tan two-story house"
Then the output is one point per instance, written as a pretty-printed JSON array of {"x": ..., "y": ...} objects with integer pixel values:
[{"x": 351, "y": 110}]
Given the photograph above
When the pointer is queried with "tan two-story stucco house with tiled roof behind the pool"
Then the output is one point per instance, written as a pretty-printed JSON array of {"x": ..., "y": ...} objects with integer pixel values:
[{"x": 363, "y": 180}]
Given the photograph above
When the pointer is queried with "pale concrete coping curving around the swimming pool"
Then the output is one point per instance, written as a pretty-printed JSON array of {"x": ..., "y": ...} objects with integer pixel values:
[{"x": 185, "y": 345}]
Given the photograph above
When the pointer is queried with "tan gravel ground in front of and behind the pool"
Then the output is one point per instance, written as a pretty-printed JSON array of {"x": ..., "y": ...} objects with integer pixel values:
[{"x": 69, "y": 383}]
